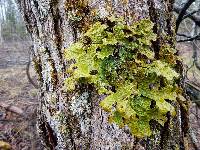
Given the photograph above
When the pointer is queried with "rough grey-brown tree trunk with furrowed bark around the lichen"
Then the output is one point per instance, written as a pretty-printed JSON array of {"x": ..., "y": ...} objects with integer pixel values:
[{"x": 75, "y": 120}]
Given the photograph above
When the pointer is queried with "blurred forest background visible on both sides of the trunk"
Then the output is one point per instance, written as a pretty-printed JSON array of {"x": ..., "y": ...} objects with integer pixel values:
[{"x": 18, "y": 84}]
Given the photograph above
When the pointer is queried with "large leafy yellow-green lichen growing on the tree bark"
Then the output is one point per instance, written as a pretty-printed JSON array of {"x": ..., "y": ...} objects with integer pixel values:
[{"x": 118, "y": 60}]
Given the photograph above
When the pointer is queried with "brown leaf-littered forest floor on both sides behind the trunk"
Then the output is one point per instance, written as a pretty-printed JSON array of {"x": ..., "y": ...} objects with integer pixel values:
[{"x": 18, "y": 98}]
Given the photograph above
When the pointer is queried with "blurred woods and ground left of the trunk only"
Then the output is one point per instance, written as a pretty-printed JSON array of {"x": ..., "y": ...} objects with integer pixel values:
[{"x": 18, "y": 97}]
